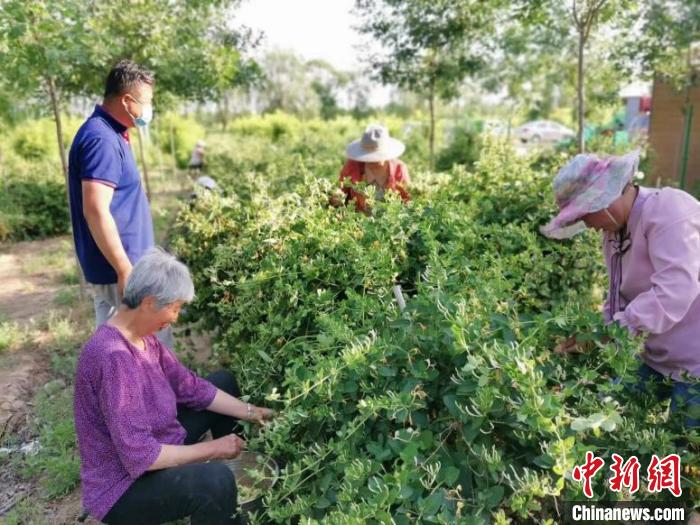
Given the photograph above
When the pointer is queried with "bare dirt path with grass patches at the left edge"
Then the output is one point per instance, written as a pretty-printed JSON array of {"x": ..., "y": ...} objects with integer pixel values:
[{"x": 37, "y": 291}]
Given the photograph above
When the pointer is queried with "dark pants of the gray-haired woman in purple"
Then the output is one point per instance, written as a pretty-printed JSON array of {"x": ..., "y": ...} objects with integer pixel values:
[{"x": 204, "y": 491}]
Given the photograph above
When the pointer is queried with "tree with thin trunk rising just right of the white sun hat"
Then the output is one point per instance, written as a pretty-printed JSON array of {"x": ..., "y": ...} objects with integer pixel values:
[{"x": 428, "y": 46}]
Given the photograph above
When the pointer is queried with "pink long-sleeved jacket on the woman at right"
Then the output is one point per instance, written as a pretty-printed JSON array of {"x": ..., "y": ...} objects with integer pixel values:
[{"x": 655, "y": 279}]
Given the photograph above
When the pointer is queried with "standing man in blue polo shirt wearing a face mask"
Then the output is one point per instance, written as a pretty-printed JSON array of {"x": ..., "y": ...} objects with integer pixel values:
[{"x": 110, "y": 214}]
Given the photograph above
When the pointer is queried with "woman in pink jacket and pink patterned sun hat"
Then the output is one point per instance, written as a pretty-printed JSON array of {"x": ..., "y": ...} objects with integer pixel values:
[{"x": 651, "y": 245}]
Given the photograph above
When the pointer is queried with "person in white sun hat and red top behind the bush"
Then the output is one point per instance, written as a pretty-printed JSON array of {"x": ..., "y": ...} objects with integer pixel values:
[{"x": 374, "y": 159}]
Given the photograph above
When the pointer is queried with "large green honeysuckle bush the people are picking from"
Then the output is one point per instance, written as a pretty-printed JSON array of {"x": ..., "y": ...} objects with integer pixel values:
[{"x": 455, "y": 409}]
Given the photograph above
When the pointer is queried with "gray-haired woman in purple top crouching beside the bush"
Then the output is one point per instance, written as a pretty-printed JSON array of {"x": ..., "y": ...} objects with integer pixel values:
[{"x": 139, "y": 413}]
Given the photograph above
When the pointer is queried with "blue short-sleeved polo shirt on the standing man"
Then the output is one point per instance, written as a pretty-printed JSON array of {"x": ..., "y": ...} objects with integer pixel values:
[{"x": 101, "y": 152}]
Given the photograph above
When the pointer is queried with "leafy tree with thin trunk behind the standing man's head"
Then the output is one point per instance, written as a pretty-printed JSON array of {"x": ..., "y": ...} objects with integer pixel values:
[{"x": 54, "y": 49}]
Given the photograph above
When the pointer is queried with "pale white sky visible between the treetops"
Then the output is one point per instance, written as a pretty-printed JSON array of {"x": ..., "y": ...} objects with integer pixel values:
[{"x": 313, "y": 29}]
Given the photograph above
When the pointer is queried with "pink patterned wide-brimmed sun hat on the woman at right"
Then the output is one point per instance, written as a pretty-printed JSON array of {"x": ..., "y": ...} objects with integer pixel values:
[{"x": 586, "y": 185}]
